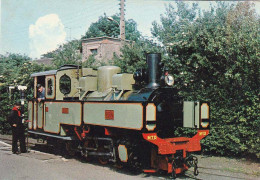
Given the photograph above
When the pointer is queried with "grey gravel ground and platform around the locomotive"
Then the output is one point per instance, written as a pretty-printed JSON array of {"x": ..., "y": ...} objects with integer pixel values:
[{"x": 54, "y": 166}]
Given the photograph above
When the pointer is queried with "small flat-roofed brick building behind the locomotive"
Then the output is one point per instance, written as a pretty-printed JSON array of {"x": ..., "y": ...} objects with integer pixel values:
[{"x": 102, "y": 48}]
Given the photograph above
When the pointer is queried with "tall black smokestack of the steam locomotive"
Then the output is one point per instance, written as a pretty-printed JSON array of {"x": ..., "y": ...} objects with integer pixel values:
[{"x": 153, "y": 61}]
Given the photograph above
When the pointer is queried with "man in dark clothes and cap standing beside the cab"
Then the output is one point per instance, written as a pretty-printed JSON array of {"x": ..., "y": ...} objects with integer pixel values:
[{"x": 18, "y": 128}]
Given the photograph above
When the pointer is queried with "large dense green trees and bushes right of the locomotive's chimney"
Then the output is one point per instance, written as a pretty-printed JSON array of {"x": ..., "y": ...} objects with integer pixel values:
[{"x": 215, "y": 58}]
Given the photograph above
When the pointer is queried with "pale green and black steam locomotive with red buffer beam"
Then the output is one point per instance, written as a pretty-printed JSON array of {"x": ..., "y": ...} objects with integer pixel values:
[{"x": 126, "y": 119}]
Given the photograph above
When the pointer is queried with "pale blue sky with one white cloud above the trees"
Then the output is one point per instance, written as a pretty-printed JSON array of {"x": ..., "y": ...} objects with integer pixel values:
[{"x": 34, "y": 27}]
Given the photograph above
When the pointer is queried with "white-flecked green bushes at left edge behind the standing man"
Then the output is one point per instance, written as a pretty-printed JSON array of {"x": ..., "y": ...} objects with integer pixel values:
[{"x": 15, "y": 69}]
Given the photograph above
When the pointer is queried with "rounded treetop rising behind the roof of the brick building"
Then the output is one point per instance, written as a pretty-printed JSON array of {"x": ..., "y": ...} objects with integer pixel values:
[{"x": 104, "y": 27}]
